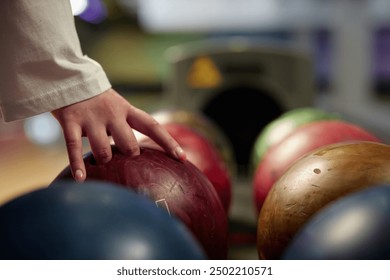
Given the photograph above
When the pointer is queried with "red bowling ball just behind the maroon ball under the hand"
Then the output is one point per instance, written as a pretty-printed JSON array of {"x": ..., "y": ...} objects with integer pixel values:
[{"x": 201, "y": 152}]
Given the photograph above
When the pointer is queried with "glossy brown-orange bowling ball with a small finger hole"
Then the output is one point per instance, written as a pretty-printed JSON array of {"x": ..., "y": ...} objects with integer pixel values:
[{"x": 318, "y": 178}]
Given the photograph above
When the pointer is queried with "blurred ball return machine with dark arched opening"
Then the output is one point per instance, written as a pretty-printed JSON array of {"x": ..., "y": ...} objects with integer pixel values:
[{"x": 239, "y": 83}]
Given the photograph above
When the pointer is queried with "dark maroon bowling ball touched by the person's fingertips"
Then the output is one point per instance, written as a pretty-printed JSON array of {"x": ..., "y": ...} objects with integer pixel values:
[{"x": 179, "y": 187}]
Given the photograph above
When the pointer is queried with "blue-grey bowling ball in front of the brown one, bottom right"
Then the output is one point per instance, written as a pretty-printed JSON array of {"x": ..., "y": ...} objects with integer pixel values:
[{"x": 350, "y": 228}]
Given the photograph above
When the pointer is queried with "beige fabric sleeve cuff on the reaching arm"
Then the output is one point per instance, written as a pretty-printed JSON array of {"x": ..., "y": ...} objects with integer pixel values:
[{"x": 42, "y": 66}]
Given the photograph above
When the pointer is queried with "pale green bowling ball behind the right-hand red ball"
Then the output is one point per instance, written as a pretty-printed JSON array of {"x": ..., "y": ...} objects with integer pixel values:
[{"x": 280, "y": 127}]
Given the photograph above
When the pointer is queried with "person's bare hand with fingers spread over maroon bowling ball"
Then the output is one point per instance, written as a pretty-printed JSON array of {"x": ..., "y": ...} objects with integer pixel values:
[{"x": 104, "y": 115}]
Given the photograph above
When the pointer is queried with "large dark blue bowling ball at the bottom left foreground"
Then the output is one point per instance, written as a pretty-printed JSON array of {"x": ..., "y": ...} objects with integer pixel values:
[{"x": 94, "y": 220}]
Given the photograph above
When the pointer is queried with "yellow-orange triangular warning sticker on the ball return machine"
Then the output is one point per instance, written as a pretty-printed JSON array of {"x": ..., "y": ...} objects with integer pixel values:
[{"x": 204, "y": 73}]
